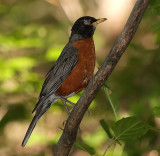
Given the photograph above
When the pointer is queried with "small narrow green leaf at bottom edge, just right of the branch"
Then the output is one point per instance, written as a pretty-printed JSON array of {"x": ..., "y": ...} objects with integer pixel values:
[{"x": 83, "y": 146}]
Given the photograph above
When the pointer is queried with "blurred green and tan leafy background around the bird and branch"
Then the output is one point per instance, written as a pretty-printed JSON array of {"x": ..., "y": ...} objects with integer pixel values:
[{"x": 124, "y": 117}]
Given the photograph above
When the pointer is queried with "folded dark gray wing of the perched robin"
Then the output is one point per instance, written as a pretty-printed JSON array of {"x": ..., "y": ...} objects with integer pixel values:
[{"x": 59, "y": 72}]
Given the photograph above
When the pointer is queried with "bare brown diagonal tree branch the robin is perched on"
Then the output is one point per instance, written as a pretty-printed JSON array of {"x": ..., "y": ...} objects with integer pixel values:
[{"x": 68, "y": 137}]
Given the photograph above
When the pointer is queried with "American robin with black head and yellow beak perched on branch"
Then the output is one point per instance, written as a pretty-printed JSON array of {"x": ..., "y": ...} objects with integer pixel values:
[{"x": 72, "y": 71}]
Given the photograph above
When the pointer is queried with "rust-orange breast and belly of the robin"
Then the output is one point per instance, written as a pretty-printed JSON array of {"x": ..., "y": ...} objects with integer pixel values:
[{"x": 82, "y": 73}]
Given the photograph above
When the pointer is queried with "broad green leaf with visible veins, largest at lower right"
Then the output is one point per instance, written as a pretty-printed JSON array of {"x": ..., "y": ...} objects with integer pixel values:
[{"x": 129, "y": 128}]
